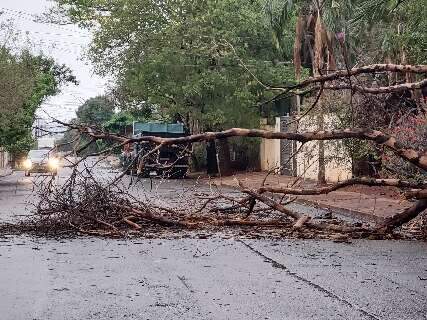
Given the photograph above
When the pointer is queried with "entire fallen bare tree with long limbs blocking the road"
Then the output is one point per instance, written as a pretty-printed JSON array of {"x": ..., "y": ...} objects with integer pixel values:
[{"x": 86, "y": 205}]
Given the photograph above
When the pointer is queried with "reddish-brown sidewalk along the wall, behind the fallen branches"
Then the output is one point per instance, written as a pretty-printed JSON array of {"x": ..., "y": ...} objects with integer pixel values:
[{"x": 369, "y": 203}]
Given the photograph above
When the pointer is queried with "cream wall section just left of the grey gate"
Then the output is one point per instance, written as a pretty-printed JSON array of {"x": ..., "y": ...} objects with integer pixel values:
[{"x": 270, "y": 149}]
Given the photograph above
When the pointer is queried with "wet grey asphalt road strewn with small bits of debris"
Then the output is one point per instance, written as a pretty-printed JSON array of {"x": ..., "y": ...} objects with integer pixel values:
[{"x": 215, "y": 278}]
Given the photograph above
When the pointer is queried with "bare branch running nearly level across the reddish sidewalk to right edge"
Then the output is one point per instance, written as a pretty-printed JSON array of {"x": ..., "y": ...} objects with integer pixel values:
[{"x": 327, "y": 189}]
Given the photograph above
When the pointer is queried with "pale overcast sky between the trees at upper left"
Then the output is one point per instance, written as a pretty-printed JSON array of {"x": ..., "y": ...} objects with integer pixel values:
[{"x": 66, "y": 44}]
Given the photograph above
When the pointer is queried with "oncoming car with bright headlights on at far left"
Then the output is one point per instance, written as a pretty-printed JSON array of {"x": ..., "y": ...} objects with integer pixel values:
[{"x": 41, "y": 161}]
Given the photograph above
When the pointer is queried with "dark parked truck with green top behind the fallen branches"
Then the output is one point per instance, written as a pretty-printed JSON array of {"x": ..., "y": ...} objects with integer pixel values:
[{"x": 168, "y": 162}]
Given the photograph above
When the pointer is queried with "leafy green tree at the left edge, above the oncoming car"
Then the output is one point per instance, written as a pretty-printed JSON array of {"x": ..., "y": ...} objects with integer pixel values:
[{"x": 26, "y": 81}]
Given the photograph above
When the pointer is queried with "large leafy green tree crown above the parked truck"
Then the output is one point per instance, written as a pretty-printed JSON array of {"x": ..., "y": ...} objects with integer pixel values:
[{"x": 184, "y": 57}]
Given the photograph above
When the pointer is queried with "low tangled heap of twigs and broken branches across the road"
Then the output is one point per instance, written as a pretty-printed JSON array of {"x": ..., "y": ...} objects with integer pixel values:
[{"x": 85, "y": 205}]
